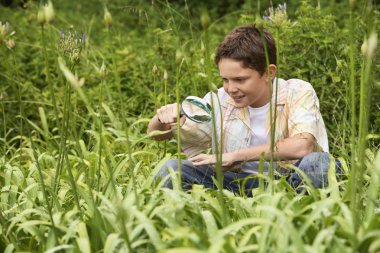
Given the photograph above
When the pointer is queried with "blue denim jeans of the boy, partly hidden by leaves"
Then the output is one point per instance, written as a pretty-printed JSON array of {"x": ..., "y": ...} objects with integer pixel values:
[{"x": 314, "y": 165}]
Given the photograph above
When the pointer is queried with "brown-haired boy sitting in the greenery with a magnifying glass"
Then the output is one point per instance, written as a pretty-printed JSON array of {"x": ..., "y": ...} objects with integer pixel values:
[{"x": 247, "y": 101}]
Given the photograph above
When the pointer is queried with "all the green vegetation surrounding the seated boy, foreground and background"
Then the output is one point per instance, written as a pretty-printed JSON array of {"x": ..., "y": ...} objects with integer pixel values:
[{"x": 79, "y": 81}]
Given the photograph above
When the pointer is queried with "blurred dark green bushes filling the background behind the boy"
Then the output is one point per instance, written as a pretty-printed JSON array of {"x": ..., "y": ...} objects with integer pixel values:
[{"x": 309, "y": 50}]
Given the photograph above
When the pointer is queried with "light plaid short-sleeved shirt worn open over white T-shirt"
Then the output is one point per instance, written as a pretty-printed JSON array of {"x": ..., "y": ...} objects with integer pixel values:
[{"x": 297, "y": 111}]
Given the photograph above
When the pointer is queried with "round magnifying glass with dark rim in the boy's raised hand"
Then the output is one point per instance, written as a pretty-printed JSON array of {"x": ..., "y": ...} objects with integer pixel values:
[{"x": 196, "y": 109}]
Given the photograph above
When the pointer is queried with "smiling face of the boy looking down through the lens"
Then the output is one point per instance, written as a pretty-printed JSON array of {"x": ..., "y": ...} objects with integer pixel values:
[{"x": 245, "y": 85}]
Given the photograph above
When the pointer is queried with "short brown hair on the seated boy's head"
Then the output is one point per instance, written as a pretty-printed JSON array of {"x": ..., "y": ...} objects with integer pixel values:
[{"x": 244, "y": 44}]
